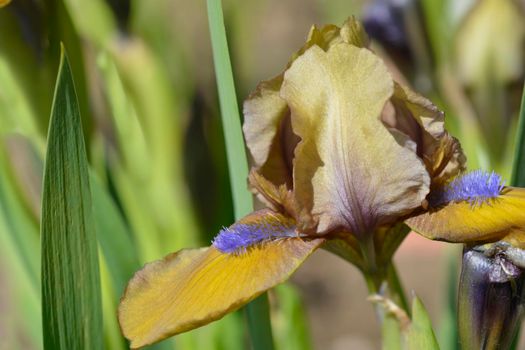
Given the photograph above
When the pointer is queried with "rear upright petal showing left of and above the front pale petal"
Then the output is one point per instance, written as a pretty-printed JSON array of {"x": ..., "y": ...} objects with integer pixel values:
[{"x": 267, "y": 128}]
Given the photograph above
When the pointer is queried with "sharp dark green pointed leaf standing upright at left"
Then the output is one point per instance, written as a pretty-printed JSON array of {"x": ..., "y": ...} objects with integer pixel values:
[{"x": 71, "y": 301}]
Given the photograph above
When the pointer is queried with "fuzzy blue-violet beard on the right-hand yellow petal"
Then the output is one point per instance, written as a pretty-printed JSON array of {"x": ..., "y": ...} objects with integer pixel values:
[{"x": 476, "y": 187}]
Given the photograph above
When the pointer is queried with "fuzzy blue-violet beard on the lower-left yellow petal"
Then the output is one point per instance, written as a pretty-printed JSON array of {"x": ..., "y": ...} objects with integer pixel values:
[{"x": 239, "y": 237}]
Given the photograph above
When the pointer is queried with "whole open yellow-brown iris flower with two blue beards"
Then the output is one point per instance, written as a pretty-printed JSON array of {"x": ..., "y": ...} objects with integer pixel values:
[{"x": 342, "y": 155}]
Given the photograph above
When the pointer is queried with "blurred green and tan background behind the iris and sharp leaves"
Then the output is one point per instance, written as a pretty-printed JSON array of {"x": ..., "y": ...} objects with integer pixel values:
[{"x": 146, "y": 86}]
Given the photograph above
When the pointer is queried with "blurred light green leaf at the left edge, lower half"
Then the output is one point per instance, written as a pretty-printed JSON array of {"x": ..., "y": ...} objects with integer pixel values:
[{"x": 20, "y": 319}]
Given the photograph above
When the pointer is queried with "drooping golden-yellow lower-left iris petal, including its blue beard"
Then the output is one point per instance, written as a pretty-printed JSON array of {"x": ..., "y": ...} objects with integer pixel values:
[{"x": 193, "y": 287}]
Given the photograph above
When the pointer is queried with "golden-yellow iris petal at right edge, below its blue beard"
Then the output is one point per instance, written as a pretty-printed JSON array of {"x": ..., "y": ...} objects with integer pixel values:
[{"x": 462, "y": 222}]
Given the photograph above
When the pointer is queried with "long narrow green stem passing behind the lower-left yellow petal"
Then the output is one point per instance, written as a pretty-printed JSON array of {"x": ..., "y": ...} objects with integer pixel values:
[{"x": 258, "y": 310}]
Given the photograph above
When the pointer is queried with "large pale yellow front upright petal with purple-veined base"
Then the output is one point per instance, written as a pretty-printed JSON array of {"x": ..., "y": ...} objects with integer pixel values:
[{"x": 349, "y": 169}]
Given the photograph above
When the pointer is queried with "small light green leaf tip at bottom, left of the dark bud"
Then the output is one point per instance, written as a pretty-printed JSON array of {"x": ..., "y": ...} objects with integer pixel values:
[{"x": 420, "y": 333}]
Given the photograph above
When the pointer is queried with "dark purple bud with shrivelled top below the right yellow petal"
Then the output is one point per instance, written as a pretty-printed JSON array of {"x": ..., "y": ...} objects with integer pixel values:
[{"x": 490, "y": 300}]
